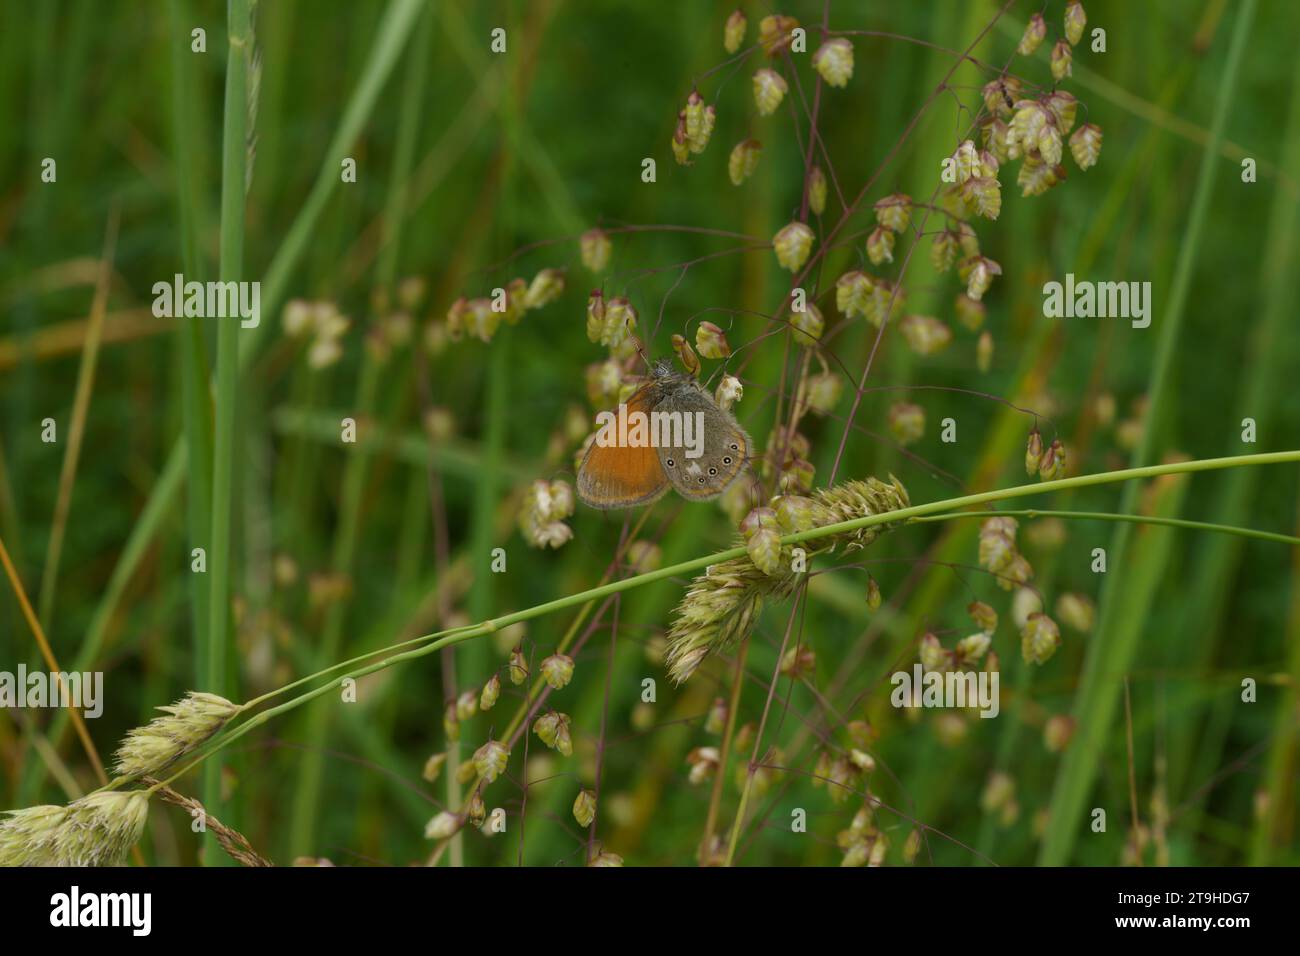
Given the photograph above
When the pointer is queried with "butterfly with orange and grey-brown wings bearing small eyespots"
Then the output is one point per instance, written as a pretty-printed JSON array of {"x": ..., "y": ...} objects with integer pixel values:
[{"x": 700, "y": 452}]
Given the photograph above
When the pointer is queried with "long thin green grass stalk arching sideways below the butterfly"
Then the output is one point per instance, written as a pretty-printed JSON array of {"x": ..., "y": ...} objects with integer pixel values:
[{"x": 428, "y": 644}]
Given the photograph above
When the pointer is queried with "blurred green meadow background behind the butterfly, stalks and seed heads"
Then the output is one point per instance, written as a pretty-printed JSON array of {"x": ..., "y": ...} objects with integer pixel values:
[{"x": 538, "y": 145}]
